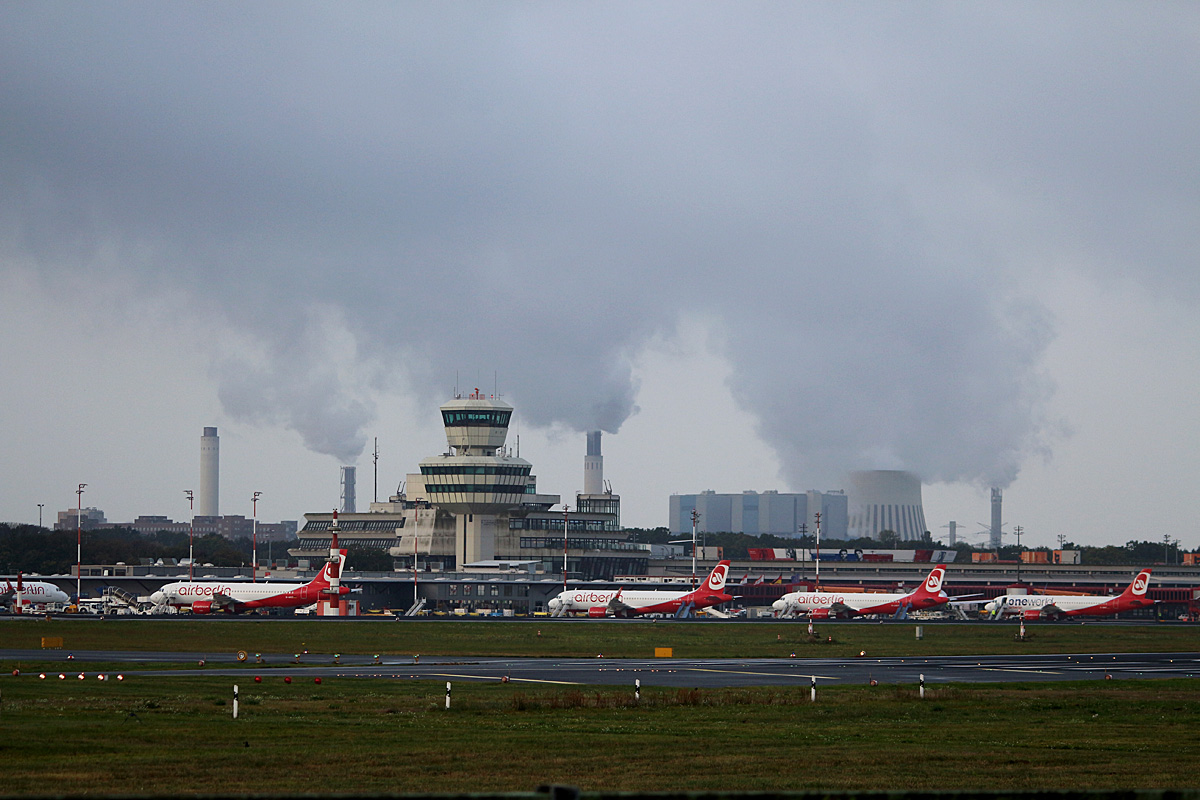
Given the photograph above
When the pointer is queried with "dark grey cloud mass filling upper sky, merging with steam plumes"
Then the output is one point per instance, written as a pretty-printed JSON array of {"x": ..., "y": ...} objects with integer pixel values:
[{"x": 537, "y": 191}]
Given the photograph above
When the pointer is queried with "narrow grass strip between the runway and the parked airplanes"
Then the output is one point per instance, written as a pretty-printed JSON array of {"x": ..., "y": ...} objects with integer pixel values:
[{"x": 589, "y": 639}]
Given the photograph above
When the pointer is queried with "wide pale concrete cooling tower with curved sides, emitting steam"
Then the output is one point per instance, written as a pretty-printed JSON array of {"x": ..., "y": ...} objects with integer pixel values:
[{"x": 886, "y": 500}]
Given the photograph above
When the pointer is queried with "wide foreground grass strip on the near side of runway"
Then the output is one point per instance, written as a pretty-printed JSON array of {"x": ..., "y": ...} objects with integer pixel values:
[{"x": 176, "y": 736}]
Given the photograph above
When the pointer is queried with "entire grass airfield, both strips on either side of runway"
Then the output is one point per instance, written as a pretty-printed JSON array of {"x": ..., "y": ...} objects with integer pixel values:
[{"x": 176, "y": 736}]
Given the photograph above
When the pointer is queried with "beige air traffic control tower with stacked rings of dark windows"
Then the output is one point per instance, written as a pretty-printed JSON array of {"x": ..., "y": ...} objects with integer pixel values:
[{"x": 478, "y": 480}]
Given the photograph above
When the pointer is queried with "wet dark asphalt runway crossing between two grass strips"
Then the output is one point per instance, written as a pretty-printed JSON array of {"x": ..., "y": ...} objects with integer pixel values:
[{"x": 698, "y": 673}]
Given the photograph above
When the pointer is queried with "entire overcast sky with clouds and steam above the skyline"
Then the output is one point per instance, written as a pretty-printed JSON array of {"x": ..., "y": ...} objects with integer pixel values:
[{"x": 758, "y": 244}]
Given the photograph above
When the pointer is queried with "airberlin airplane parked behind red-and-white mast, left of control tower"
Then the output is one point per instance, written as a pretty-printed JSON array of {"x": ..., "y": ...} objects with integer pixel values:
[{"x": 209, "y": 597}]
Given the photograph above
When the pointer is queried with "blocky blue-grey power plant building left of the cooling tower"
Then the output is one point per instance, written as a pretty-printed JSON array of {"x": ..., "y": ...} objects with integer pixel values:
[{"x": 778, "y": 514}]
